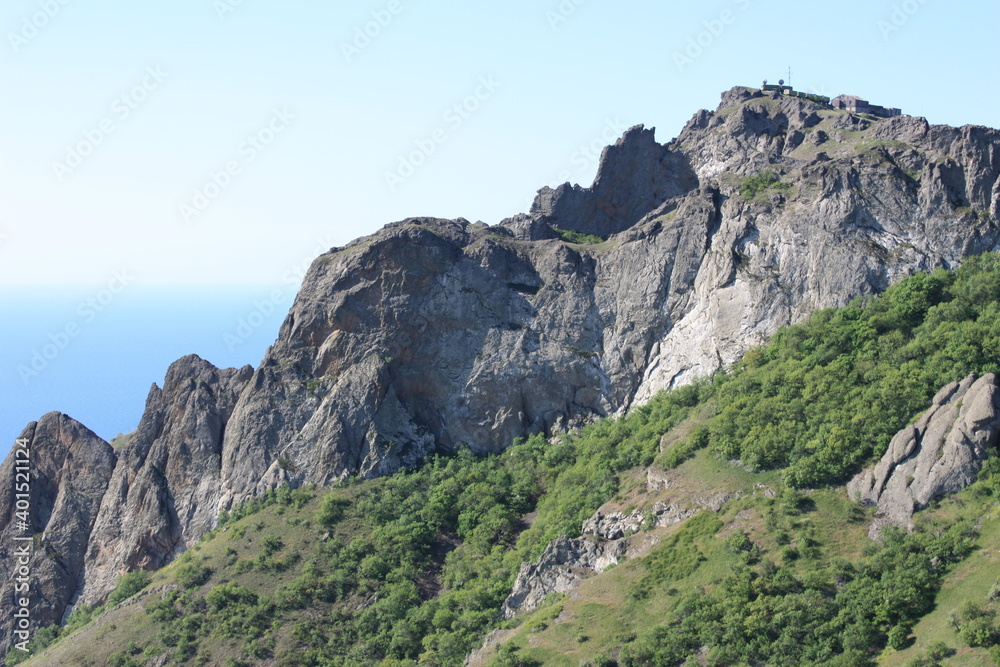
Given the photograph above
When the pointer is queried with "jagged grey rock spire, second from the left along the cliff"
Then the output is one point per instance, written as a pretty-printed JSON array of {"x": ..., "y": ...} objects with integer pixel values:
[{"x": 163, "y": 494}]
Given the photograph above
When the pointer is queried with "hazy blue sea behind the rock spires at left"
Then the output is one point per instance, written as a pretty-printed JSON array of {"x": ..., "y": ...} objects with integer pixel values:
[{"x": 94, "y": 354}]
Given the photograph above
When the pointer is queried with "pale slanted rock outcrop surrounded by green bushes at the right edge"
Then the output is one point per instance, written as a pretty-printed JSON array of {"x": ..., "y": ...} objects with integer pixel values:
[{"x": 940, "y": 454}]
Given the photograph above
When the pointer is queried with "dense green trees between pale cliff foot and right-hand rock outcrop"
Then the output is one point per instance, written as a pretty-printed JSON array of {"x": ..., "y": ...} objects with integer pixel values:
[{"x": 829, "y": 394}]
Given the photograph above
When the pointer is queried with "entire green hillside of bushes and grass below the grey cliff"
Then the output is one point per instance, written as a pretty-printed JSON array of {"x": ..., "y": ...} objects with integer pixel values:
[{"x": 413, "y": 568}]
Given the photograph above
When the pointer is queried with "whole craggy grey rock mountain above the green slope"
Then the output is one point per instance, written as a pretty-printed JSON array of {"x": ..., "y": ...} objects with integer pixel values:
[{"x": 431, "y": 334}]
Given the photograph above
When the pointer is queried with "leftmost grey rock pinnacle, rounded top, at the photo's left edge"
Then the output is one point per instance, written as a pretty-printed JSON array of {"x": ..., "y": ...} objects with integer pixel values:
[{"x": 69, "y": 471}]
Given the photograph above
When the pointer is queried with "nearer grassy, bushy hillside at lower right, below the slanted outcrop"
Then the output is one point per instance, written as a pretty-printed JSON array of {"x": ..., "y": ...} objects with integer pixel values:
[{"x": 779, "y": 585}]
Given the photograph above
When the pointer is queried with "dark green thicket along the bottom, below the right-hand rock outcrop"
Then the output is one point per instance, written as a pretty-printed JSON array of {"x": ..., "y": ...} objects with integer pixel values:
[{"x": 767, "y": 614}]
